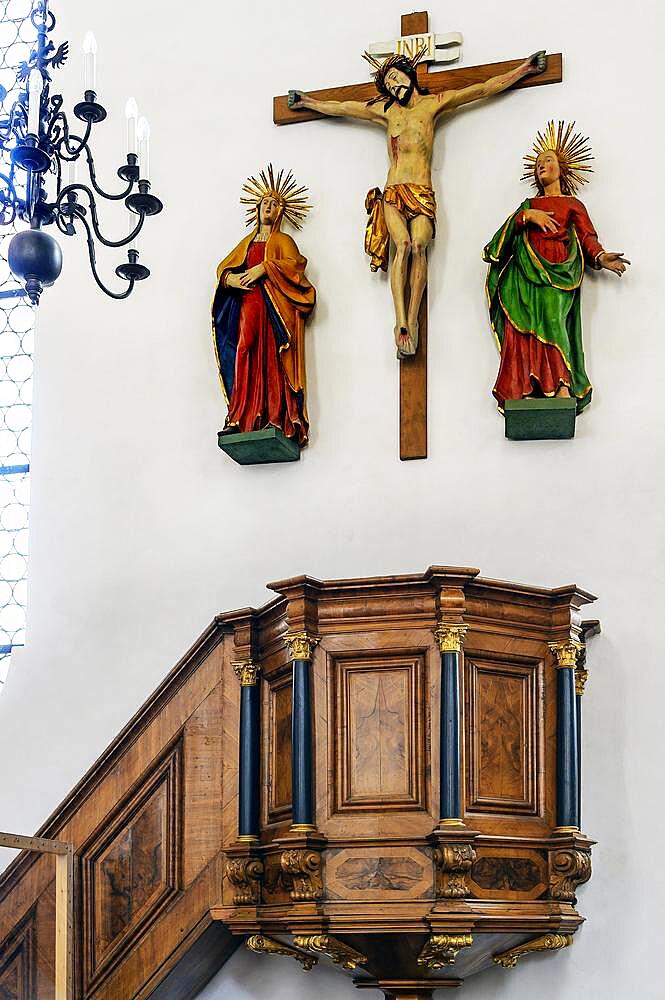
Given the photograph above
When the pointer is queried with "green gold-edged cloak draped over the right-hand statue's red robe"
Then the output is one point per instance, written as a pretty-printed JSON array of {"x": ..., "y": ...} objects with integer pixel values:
[{"x": 539, "y": 298}]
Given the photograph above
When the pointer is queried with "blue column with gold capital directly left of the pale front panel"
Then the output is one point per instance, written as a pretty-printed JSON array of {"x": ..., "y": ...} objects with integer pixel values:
[{"x": 300, "y": 646}]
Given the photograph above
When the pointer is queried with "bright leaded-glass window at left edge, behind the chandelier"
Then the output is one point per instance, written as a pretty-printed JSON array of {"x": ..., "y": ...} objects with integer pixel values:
[{"x": 17, "y": 37}]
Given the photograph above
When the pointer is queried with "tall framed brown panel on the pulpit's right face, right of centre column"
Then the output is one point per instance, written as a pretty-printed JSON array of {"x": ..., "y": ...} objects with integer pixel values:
[{"x": 502, "y": 736}]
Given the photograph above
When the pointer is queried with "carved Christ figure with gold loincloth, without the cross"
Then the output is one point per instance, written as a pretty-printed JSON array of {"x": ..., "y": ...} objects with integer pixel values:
[{"x": 405, "y": 213}]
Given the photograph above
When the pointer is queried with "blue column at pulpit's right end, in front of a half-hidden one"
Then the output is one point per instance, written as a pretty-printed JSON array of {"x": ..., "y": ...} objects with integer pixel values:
[{"x": 567, "y": 770}]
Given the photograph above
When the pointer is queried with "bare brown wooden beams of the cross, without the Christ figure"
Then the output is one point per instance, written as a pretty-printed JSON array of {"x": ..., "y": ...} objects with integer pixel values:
[{"x": 413, "y": 371}]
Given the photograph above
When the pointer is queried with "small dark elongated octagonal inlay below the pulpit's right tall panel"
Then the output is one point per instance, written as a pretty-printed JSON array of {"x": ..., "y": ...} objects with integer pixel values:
[{"x": 508, "y": 873}]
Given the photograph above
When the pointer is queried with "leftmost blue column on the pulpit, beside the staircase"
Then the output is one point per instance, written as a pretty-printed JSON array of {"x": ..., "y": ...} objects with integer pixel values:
[{"x": 249, "y": 770}]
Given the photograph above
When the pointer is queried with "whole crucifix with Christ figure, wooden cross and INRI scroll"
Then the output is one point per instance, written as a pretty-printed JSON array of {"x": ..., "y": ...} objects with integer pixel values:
[{"x": 408, "y": 101}]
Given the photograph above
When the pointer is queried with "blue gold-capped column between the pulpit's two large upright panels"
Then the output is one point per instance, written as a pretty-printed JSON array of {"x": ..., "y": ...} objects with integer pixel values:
[{"x": 451, "y": 640}]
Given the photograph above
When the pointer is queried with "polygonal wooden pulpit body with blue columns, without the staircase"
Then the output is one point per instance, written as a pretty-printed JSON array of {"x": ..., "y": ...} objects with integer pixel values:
[{"x": 402, "y": 788}]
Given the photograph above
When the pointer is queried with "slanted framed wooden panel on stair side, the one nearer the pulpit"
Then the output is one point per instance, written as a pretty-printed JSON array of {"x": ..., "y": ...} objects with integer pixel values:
[{"x": 131, "y": 868}]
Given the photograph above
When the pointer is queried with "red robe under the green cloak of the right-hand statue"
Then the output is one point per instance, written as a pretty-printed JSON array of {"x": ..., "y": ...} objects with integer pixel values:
[{"x": 528, "y": 365}]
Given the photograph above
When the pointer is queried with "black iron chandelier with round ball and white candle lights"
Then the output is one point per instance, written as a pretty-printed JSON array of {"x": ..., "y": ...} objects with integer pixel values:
[{"x": 41, "y": 187}]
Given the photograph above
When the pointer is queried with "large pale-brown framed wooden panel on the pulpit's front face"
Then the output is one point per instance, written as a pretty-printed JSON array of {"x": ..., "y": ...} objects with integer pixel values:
[{"x": 380, "y": 758}]
